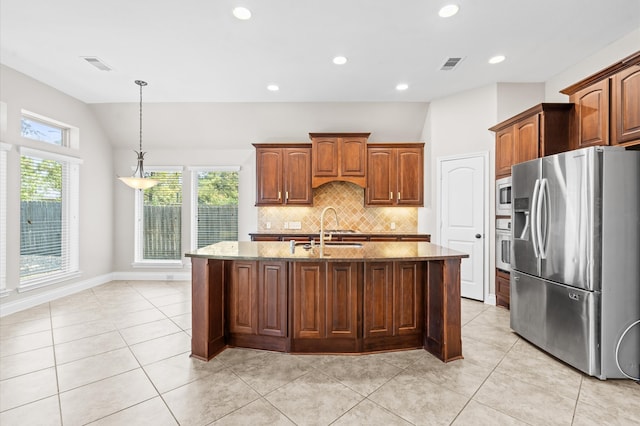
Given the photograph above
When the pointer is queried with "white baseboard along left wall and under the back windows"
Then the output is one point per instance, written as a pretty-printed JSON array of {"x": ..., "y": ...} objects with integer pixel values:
[{"x": 29, "y": 301}]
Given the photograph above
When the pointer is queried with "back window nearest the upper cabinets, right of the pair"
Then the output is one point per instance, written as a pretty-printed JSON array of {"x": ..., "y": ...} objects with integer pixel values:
[{"x": 214, "y": 205}]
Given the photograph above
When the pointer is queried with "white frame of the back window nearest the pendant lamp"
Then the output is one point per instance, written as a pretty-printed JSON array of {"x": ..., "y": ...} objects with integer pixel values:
[{"x": 138, "y": 255}]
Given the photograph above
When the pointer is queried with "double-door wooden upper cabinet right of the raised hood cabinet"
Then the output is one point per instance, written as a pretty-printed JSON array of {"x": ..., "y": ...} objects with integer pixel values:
[{"x": 395, "y": 174}]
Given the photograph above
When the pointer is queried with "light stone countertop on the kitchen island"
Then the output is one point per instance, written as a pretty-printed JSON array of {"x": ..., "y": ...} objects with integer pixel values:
[{"x": 361, "y": 251}]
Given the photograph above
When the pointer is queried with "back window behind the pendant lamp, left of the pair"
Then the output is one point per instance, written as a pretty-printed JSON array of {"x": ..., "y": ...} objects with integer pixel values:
[{"x": 159, "y": 218}]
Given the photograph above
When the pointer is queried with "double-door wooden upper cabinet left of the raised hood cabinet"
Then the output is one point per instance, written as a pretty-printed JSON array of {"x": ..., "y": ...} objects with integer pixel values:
[{"x": 283, "y": 174}]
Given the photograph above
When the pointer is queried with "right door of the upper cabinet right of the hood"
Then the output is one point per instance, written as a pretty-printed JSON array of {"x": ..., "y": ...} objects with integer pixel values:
[{"x": 410, "y": 177}]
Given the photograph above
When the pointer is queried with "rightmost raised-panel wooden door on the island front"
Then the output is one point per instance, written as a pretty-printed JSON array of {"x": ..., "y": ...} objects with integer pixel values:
[{"x": 408, "y": 297}]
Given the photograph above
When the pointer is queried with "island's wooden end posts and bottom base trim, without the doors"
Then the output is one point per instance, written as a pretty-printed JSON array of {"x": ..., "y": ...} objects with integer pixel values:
[{"x": 442, "y": 321}]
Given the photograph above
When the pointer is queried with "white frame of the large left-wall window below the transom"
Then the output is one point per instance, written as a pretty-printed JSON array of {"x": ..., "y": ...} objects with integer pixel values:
[{"x": 70, "y": 217}]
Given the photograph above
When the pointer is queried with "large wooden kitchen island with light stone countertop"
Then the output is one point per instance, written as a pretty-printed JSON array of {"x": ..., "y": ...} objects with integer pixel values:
[{"x": 343, "y": 298}]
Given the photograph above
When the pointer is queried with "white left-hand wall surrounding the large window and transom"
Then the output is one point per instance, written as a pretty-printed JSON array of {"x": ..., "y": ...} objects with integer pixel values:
[{"x": 19, "y": 91}]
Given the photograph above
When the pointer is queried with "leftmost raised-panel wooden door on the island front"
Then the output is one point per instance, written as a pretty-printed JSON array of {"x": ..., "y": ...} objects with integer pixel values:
[{"x": 243, "y": 298}]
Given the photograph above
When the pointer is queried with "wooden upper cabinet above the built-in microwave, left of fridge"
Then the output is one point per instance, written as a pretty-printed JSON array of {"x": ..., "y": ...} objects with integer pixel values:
[{"x": 541, "y": 130}]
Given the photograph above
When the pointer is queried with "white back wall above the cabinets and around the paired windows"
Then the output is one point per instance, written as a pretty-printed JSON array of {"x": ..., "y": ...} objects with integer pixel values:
[{"x": 213, "y": 134}]
